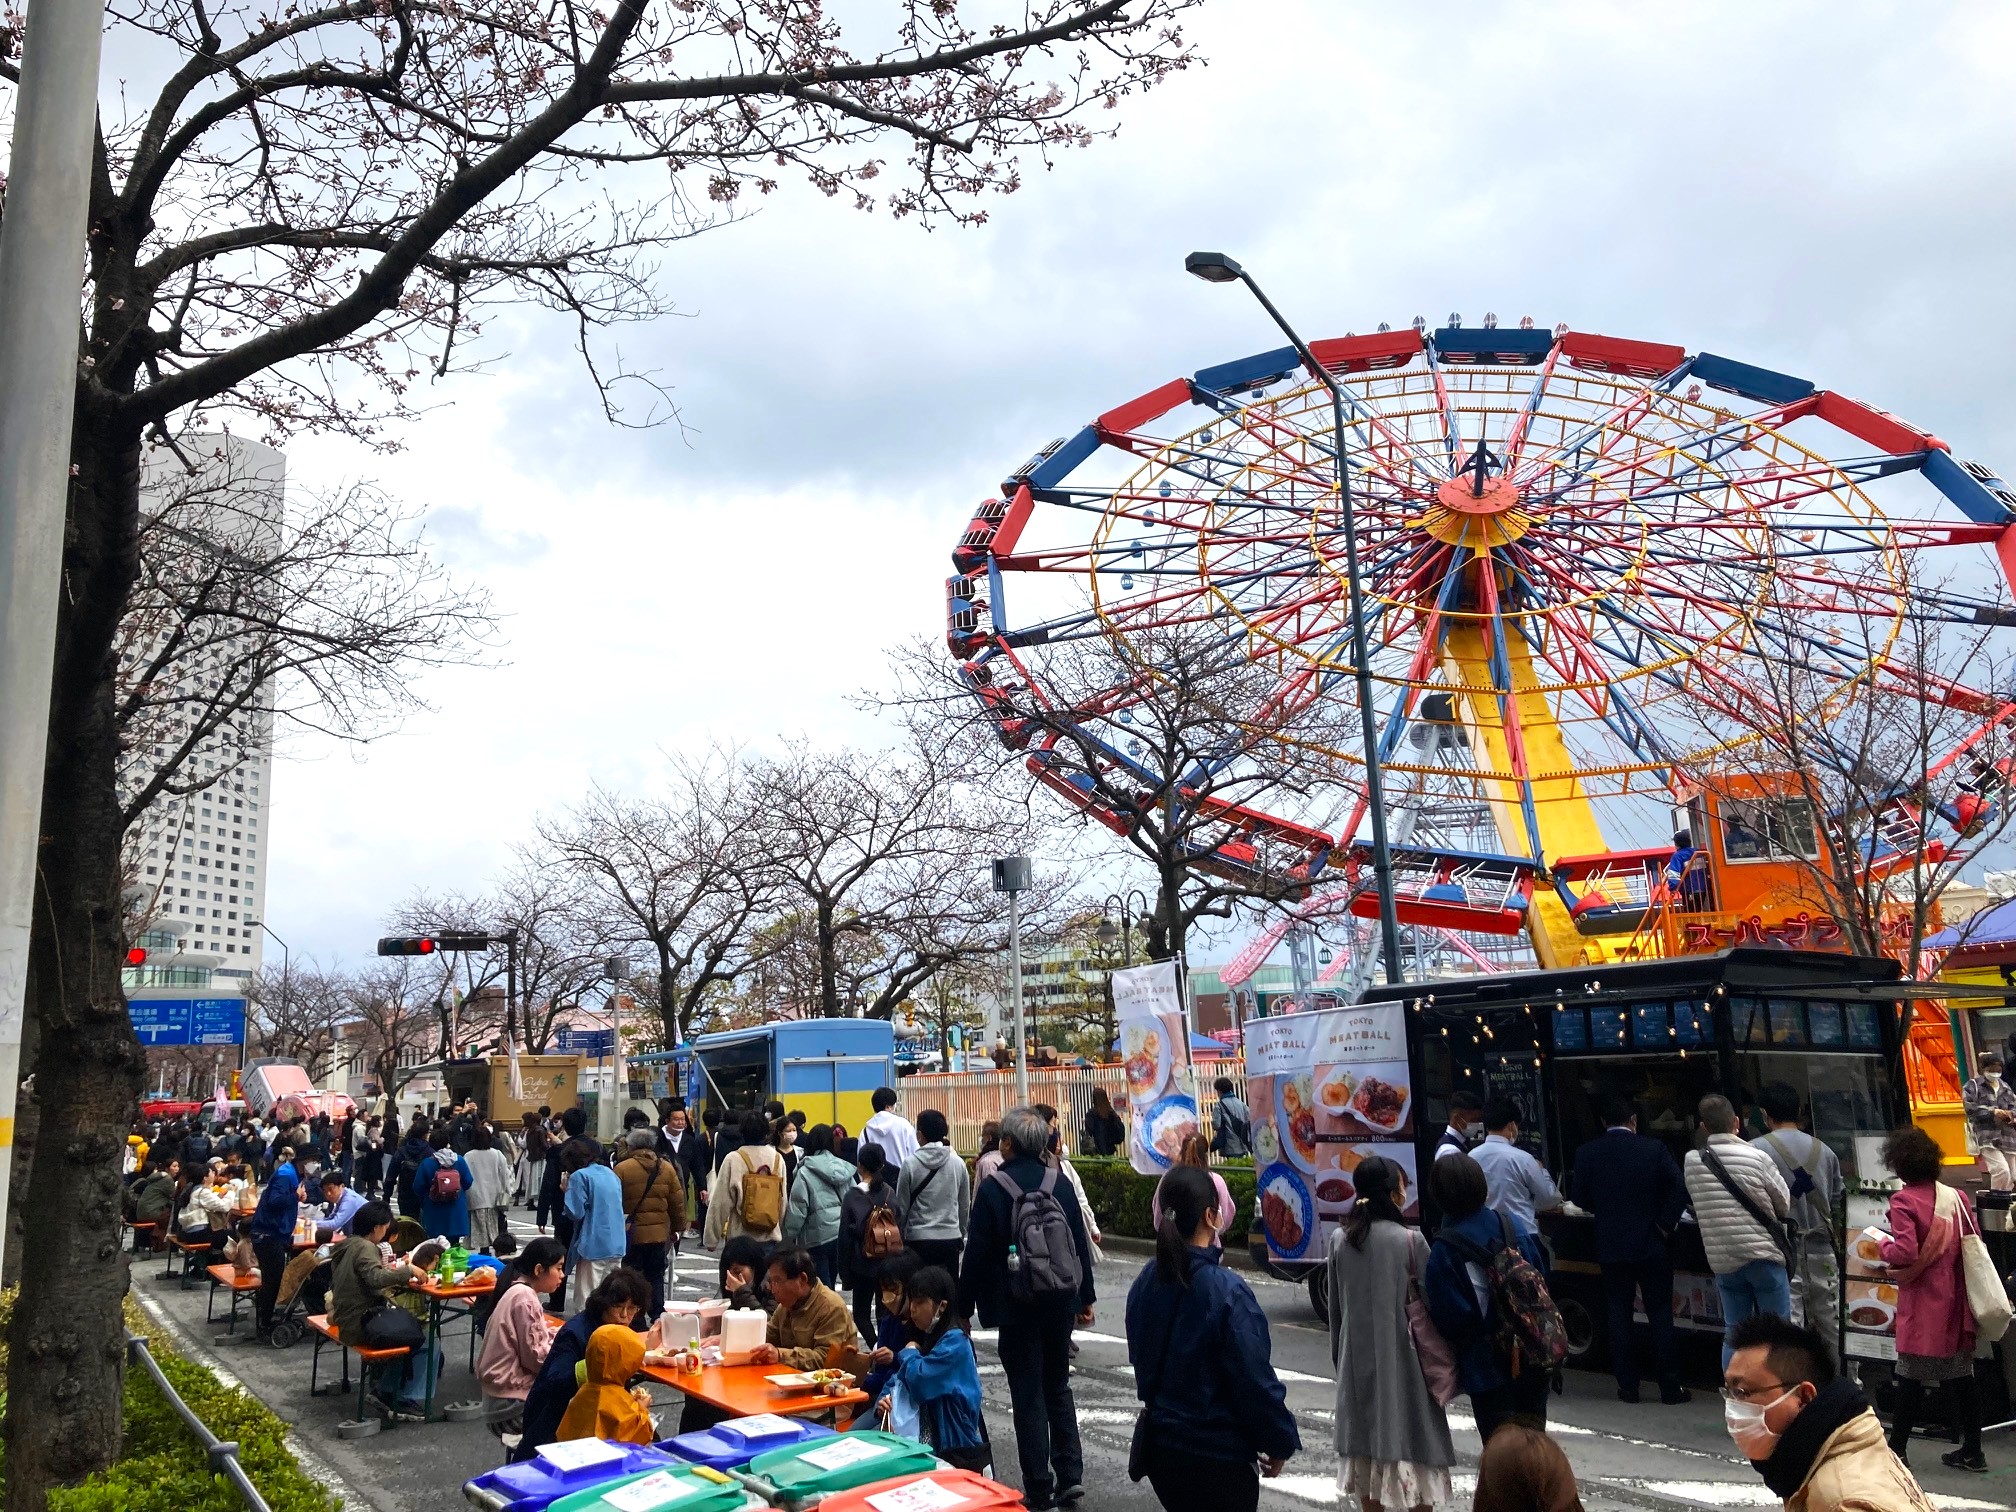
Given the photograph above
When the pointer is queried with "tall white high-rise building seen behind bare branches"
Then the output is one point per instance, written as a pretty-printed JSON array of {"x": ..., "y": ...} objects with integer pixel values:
[{"x": 199, "y": 862}]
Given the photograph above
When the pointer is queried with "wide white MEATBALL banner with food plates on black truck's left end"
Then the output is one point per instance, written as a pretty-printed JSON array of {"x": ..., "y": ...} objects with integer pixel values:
[{"x": 1330, "y": 1092}]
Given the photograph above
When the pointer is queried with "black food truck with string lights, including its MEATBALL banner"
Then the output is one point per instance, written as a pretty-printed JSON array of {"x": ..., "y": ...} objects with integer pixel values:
[{"x": 1378, "y": 1080}]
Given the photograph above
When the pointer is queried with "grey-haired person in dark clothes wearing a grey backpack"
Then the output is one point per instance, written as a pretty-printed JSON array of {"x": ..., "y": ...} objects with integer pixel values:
[{"x": 1029, "y": 1273}]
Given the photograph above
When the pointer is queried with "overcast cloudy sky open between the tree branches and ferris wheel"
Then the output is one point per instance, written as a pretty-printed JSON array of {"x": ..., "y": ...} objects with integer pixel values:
[{"x": 1813, "y": 188}]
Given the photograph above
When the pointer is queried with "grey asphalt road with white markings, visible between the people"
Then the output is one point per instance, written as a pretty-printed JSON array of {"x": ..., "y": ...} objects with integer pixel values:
[{"x": 1648, "y": 1457}]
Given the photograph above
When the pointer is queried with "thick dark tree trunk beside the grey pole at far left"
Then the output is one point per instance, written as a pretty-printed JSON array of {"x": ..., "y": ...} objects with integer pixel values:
[{"x": 68, "y": 1340}]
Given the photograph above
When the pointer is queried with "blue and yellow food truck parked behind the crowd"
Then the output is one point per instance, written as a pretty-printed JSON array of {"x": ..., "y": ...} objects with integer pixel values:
[{"x": 828, "y": 1067}]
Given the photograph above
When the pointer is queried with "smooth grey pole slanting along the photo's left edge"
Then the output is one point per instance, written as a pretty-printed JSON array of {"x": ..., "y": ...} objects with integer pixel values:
[{"x": 41, "y": 273}]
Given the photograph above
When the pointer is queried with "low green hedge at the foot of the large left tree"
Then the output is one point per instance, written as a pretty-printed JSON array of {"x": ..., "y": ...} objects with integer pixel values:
[{"x": 162, "y": 1465}]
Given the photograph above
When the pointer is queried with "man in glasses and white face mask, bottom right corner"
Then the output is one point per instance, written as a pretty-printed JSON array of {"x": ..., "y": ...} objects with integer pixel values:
[{"x": 1809, "y": 1432}]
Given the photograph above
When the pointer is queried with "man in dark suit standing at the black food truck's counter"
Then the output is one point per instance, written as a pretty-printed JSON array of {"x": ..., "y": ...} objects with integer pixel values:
[{"x": 1636, "y": 1194}]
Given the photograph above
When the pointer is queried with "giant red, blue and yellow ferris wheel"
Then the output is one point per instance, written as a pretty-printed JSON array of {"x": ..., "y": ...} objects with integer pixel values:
[{"x": 1580, "y": 557}]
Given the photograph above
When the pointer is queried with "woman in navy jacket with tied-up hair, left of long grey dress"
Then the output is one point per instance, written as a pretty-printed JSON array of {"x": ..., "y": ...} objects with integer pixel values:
[{"x": 1215, "y": 1414}]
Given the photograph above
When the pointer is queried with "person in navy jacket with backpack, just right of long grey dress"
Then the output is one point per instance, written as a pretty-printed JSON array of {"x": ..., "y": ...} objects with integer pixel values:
[{"x": 1487, "y": 1293}]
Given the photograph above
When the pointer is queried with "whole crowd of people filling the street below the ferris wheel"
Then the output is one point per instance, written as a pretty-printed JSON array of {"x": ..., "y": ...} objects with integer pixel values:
[{"x": 928, "y": 1247}]
